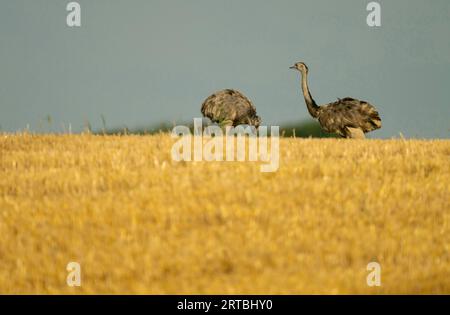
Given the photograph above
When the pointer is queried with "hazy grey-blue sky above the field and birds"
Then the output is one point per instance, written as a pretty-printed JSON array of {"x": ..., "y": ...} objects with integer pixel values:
[{"x": 142, "y": 62}]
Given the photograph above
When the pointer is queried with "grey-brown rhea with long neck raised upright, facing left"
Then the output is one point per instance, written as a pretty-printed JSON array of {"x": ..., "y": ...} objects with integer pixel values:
[{"x": 347, "y": 117}]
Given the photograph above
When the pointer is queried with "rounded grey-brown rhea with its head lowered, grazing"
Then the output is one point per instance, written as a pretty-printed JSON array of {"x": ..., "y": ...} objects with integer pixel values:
[{"x": 230, "y": 108}]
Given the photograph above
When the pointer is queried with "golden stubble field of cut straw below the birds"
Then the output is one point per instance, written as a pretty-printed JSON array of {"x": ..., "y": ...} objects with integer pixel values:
[{"x": 137, "y": 222}]
